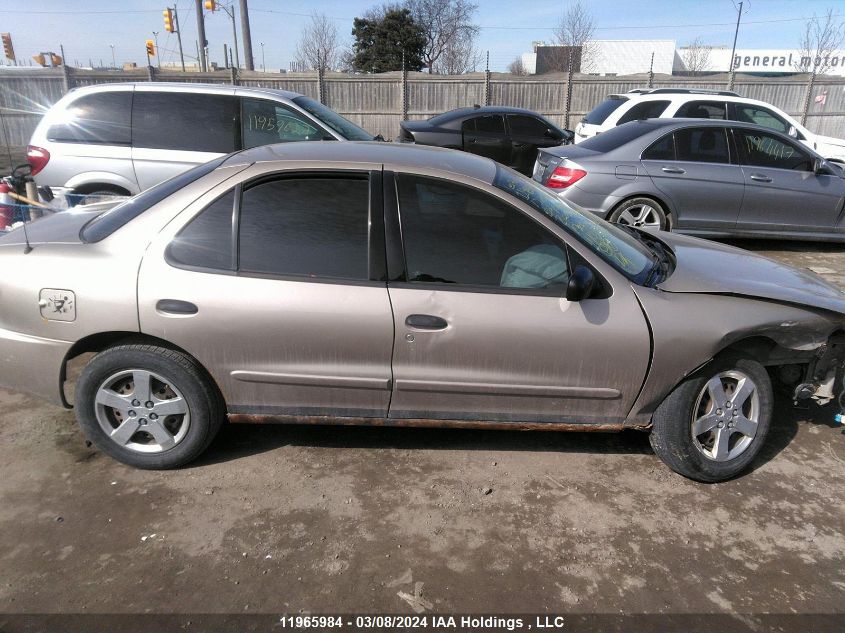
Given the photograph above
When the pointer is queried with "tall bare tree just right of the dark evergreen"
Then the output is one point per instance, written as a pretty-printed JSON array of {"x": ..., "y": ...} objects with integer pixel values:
[{"x": 450, "y": 34}]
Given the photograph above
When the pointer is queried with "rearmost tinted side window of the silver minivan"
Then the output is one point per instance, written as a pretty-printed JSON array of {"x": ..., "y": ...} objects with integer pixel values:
[{"x": 97, "y": 118}]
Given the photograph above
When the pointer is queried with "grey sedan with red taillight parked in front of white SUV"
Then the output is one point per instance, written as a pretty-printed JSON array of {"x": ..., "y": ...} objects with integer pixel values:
[{"x": 712, "y": 178}]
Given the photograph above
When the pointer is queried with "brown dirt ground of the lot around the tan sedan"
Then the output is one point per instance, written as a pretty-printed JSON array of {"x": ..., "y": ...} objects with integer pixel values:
[{"x": 326, "y": 519}]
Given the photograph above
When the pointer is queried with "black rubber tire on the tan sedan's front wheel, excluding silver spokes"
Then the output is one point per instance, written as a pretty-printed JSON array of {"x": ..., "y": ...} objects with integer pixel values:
[{"x": 672, "y": 424}]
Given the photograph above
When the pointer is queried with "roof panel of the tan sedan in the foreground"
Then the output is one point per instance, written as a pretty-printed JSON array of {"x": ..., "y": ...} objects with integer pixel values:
[{"x": 372, "y": 152}]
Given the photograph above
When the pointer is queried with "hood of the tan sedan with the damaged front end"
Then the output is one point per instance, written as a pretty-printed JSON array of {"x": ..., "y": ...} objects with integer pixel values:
[{"x": 709, "y": 267}]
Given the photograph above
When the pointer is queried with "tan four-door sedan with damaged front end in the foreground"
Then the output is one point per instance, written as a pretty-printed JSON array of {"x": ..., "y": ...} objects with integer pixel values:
[{"x": 363, "y": 283}]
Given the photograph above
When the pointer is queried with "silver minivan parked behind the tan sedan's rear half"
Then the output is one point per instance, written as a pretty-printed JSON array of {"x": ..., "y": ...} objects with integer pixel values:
[{"x": 122, "y": 138}]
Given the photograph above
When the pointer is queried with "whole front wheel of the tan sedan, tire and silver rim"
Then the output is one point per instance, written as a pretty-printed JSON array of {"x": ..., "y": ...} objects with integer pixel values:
[{"x": 712, "y": 425}]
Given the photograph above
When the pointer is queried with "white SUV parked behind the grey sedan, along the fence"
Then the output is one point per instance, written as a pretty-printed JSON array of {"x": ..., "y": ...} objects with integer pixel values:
[{"x": 723, "y": 105}]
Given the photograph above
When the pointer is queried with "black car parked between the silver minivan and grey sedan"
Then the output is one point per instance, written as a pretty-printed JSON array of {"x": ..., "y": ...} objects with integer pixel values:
[{"x": 510, "y": 136}]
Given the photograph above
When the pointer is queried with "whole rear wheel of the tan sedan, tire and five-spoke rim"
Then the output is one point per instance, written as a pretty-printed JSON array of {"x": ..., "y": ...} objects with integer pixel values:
[{"x": 148, "y": 406}]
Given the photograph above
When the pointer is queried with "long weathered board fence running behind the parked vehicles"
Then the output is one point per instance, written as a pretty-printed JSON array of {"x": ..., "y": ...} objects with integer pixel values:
[{"x": 376, "y": 101}]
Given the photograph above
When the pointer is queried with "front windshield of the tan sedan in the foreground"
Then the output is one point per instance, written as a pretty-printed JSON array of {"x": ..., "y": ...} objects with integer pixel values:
[{"x": 617, "y": 247}]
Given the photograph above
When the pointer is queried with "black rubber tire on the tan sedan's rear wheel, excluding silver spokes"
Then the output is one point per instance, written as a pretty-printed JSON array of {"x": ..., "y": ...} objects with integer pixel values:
[{"x": 204, "y": 404}]
